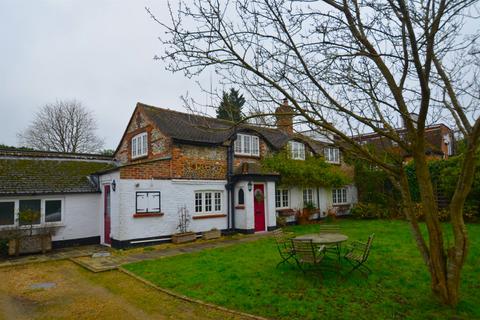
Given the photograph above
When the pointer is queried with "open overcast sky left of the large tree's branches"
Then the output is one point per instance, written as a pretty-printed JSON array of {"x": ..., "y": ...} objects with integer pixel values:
[{"x": 98, "y": 52}]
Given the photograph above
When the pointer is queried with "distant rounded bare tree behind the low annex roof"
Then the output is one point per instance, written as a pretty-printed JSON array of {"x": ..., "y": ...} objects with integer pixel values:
[{"x": 65, "y": 126}]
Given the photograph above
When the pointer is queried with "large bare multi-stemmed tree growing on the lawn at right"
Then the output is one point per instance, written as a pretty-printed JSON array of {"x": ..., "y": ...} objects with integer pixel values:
[{"x": 350, "y": 67}]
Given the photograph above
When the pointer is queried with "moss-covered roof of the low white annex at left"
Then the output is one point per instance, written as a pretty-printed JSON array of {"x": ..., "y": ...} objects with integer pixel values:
[{"x": 38, "y": 172}]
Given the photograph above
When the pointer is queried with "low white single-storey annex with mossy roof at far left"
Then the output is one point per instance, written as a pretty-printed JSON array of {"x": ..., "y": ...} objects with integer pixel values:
[{"x": 59, "y": 186}]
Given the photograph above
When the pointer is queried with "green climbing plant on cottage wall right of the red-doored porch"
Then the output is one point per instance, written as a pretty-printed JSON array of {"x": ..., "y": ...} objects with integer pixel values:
[{"x": 311, "y": 172}]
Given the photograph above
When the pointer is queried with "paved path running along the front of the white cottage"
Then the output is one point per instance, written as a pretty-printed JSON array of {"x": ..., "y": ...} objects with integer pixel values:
[{"x": 113, "y": 261}]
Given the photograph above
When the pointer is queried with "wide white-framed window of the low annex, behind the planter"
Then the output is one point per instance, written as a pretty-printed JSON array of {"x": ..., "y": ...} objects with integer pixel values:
[{"x": 44, "y": 211}]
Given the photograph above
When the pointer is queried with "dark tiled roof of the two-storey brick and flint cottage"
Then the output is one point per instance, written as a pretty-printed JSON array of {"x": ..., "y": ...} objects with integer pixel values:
[{"x": 187, "y": 128}]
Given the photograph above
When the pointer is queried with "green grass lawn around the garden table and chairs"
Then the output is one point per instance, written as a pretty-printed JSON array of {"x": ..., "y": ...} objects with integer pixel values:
[{"x": 244, "y": 277}]
